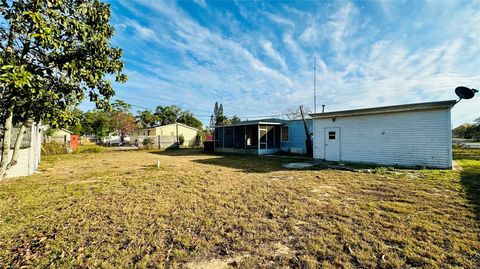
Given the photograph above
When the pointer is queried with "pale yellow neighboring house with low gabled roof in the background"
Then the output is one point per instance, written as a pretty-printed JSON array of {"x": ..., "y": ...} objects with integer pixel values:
[{"x": 167, "y": 136}]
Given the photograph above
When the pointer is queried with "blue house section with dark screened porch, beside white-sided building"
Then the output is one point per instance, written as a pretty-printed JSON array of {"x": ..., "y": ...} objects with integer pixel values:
[{"x": 261, "y": 137}]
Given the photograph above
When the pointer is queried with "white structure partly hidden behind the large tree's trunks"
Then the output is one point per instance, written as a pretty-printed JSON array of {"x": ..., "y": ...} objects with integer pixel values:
[{"x": 29, "y": 154}]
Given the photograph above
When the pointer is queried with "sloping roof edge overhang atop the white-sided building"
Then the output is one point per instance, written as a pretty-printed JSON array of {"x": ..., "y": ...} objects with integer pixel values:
[{"x": 386, "y": 109}]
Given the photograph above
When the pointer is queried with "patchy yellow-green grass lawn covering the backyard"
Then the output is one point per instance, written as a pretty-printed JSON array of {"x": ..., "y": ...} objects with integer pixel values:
[{"x": 116, "y": 209}]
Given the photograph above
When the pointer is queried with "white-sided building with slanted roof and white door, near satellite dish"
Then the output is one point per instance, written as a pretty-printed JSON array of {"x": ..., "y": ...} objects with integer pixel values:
[{"x": 411, "y": 135}]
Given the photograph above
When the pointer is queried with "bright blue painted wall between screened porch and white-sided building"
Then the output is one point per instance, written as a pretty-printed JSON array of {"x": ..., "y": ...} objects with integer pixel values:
[{"x": 297, "y": 137}]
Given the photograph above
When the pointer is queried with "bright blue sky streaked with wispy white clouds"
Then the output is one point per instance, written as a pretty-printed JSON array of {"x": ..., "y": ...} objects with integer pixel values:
[{"x": 256, "y": 57}]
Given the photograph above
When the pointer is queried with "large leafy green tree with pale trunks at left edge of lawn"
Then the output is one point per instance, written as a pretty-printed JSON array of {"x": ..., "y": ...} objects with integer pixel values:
[{"x": 52, "y": 54}]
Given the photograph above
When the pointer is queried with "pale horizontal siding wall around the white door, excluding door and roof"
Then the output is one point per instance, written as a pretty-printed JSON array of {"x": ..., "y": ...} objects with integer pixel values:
[{"x": 415, "y": 138}]
